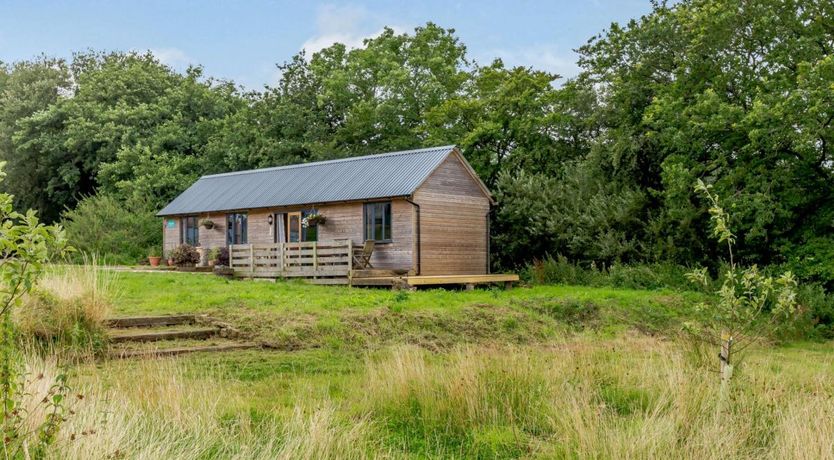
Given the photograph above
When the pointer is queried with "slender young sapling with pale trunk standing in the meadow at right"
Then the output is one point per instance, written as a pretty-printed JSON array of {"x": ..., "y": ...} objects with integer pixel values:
[{"x": 749, "y": 305}]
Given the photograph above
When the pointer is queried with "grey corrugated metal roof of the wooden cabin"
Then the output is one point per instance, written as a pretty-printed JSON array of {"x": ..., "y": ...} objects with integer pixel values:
[{"x": 358, "y": 178}]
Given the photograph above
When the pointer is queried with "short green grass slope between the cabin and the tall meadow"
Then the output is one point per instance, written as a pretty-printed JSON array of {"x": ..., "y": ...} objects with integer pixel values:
[{"x": 295, "y": 315}]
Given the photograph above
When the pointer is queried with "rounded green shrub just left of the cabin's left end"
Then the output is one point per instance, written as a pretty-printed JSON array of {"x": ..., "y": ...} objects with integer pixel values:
[{"x": 117, "y": 232}]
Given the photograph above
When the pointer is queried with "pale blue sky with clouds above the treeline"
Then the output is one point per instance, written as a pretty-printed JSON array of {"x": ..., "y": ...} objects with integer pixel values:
[{"x": 243, "y": 41}]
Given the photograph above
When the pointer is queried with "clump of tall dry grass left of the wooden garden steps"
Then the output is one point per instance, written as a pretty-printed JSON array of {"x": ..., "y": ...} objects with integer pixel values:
[{"x": 69, "y": 306}]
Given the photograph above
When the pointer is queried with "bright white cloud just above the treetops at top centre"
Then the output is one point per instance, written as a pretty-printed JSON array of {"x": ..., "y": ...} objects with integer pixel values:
[{"x": 349, "y": 25}]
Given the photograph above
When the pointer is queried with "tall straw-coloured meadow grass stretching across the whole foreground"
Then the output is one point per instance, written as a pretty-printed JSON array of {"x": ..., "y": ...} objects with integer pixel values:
[{"x": 583, "y": 397}]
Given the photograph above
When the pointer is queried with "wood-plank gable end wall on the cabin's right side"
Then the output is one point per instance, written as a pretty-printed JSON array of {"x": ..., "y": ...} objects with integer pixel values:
[{"x": 453, "y": 222}]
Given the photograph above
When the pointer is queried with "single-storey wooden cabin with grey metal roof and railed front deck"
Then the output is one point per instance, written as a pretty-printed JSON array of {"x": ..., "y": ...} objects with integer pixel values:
[{"x": 426, "y": 211}]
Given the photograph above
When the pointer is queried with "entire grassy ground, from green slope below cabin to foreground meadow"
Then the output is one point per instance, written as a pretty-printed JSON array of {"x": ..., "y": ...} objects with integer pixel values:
[{"x": 539, "y": 372}]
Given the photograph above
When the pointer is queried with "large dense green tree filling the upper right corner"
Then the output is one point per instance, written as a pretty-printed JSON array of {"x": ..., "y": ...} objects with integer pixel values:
[{"x": 734, "y": 90}]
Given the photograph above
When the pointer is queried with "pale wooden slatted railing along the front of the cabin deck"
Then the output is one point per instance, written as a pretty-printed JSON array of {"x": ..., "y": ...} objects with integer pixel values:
[{"x": 307, "y": 259}]
